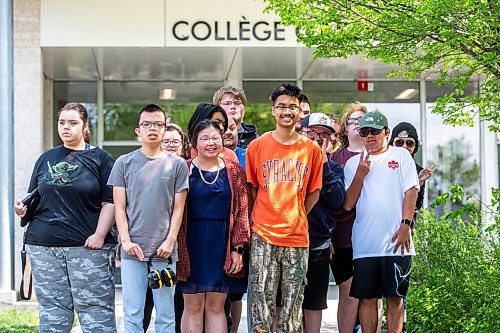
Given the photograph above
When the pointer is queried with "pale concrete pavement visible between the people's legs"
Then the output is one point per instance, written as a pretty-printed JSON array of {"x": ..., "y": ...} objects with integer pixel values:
[{"x": 329, "y": 315}]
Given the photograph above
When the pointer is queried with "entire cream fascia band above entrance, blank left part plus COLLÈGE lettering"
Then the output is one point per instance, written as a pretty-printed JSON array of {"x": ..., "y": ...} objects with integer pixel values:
[{"x": 161, "y": 23}]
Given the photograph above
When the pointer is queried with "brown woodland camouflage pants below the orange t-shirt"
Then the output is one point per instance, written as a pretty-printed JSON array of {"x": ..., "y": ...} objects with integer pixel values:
[{"x": 271, "y": 265}]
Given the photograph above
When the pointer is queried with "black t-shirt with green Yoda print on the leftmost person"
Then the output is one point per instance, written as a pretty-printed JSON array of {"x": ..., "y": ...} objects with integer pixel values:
[{"x": 72, "y": 185}]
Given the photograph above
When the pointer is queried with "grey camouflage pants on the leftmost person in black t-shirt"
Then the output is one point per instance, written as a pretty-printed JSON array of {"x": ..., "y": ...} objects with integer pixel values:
[{"x": 74, "y": 278}]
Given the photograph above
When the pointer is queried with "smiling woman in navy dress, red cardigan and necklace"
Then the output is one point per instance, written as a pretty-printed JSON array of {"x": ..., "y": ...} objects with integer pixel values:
[{"x": 213, "y": 237}]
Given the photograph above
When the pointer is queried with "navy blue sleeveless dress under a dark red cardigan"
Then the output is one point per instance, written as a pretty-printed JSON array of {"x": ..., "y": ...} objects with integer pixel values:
[{"x": 208, "y": 209}]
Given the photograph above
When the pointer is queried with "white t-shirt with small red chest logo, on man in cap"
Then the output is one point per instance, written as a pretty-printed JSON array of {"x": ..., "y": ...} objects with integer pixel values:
[{"x": 379, "y": 209}]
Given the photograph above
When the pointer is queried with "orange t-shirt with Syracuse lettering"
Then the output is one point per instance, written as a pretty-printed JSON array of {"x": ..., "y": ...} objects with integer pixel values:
[{"x": 283, "y": 175}]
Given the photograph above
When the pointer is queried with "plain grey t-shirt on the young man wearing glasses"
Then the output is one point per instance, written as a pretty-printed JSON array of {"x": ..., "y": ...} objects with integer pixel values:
[{"x": 150, "y": 185}]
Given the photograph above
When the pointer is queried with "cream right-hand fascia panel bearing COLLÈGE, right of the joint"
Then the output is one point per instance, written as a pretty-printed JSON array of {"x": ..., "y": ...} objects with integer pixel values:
[{"x": 224, "y": 23}]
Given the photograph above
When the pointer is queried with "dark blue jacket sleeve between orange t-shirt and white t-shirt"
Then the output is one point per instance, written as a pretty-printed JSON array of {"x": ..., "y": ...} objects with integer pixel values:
[{"x": 331, "y": 196}]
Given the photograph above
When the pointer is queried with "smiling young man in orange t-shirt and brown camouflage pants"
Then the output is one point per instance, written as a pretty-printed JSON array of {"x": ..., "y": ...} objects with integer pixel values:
[{"x": 284, "y": 170}]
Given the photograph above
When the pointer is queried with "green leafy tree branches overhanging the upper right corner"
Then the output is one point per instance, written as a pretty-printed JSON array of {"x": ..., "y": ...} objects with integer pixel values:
[{"x": 456, "y": 38}]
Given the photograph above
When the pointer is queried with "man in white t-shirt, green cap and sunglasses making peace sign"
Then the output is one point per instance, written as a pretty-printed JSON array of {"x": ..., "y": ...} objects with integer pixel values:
[{"x": 382, "y": 184}]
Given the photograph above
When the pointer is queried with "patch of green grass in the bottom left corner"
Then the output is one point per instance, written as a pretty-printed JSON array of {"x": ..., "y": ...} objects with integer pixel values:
[{"x": 15, "y": 321}]
